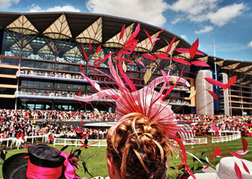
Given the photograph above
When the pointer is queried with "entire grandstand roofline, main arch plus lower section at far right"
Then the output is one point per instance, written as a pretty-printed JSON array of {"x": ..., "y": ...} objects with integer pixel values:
[{"x": 102, "y": 29}]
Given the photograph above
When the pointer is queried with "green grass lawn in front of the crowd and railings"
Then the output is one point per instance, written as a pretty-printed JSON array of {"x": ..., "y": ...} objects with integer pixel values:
[{"x": 97, "y": 163}]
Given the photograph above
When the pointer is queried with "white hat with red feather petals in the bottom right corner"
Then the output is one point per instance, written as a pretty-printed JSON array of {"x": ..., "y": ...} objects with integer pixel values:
[{"x": 228, "y": 169}]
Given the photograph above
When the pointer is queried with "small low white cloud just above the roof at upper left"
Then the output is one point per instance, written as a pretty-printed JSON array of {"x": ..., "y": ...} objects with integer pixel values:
[{"x": 53, "y": 9}]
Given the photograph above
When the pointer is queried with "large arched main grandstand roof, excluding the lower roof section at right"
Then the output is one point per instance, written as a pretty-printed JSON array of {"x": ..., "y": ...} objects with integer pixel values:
[{"x": 82, "y": 25}]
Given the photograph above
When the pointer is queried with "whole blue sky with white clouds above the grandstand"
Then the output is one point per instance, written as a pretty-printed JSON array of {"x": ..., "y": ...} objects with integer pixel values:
[{"x": 226, "y": 22}]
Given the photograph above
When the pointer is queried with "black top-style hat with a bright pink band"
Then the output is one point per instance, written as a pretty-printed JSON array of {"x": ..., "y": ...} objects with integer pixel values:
[{"x": 42, "y": 161}]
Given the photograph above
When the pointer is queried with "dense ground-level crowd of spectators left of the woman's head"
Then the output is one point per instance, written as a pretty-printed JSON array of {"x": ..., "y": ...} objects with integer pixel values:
[{"x": 41, "y": 122}]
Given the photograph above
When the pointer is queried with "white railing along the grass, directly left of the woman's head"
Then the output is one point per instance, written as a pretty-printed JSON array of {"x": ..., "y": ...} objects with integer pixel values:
[{"x": 80, "y": 142}]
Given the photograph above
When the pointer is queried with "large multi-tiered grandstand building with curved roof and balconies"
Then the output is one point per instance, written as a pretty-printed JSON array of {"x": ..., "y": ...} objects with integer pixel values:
[{"x": 41, "y": 55}]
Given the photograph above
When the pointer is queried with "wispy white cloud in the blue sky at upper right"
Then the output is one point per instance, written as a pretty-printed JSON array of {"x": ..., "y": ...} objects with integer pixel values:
[{"x": 207, "y": 10}]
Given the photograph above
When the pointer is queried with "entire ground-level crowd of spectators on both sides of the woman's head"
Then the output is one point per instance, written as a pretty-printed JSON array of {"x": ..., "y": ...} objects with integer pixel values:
[{"x": 41, "y": 122}]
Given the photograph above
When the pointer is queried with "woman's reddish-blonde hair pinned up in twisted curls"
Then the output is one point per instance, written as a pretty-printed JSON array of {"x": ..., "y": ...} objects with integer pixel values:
[{"x": 139, "y": 148}]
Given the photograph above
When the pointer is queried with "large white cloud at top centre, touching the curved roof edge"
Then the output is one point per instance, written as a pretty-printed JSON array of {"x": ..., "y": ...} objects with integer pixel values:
[{"x": 148, "y": 11}]
